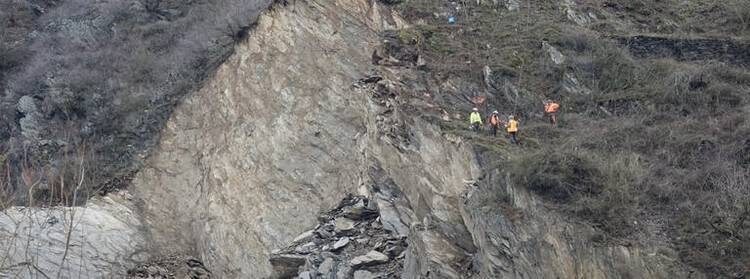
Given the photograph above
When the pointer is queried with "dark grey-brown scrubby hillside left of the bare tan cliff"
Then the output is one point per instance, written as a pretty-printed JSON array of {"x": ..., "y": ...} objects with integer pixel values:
[{"x": 87, "y": 85}]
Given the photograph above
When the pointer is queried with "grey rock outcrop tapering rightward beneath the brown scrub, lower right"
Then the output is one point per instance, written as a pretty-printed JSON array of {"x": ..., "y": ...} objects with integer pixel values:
[{"x": 518, "y": 236}]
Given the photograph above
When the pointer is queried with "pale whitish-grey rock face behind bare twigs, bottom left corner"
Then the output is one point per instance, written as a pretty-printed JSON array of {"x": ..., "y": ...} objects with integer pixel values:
[{"x": 103, "y": 239}]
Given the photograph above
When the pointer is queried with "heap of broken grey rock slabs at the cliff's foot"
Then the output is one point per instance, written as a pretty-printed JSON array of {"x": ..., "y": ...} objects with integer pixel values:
[{"x": 349, "y": 242}]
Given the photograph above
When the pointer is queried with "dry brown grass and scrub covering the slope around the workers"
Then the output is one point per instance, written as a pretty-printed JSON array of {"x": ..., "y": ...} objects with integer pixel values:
[{"x": 656, "y": 139}]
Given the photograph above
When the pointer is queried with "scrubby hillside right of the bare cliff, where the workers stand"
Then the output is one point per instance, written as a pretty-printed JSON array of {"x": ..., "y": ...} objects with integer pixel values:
[{"x": 652, "y": 145}]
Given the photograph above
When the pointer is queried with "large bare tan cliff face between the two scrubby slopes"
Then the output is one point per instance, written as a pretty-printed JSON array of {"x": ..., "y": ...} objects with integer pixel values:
[{"x": 275, "y": 137}]
